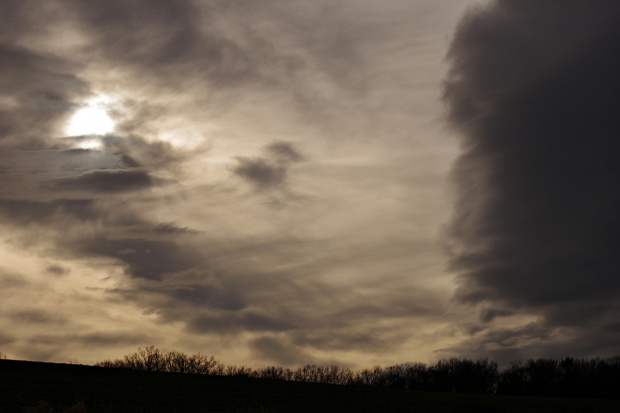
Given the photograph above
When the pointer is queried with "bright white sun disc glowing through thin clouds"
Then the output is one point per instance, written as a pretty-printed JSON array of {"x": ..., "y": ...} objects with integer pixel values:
[{"x": 91, "y": 119}]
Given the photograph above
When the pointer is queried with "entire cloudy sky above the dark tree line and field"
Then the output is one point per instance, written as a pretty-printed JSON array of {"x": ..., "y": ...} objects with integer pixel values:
[{"x": 284, "y": 182}]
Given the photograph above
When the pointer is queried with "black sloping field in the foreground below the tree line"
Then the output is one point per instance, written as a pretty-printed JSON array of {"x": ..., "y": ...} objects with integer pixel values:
[{"x": 47, "y": 387}]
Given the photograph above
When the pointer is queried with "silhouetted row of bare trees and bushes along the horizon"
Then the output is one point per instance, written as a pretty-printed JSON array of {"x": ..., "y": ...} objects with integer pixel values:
[{"x": 549, "y": 377}]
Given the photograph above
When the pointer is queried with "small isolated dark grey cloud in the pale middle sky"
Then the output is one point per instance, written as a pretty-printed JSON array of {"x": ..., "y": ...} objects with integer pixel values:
[{"x": 270, "y": 171}]
